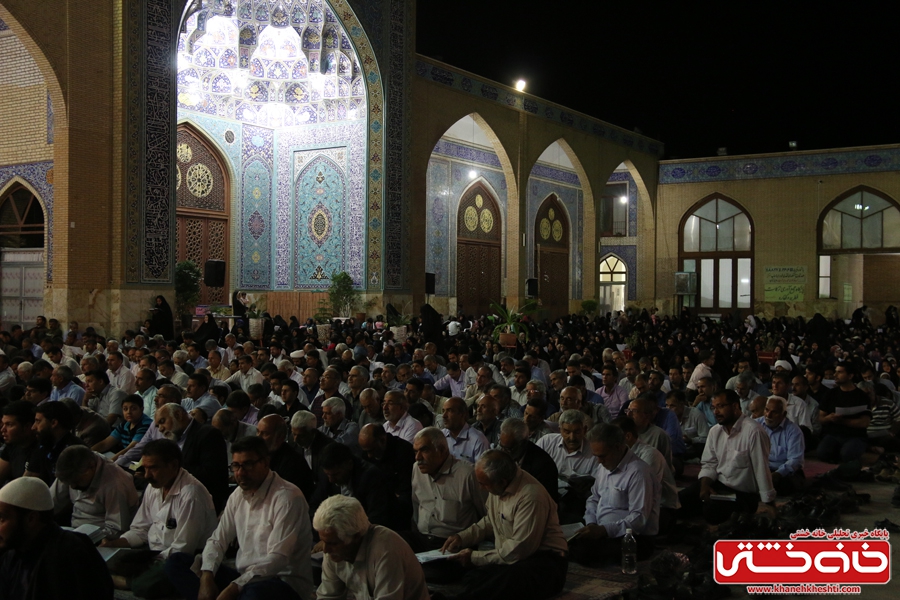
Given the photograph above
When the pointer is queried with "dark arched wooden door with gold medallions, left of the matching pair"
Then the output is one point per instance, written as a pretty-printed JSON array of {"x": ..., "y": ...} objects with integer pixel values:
[{"x": 478, "y": 256}]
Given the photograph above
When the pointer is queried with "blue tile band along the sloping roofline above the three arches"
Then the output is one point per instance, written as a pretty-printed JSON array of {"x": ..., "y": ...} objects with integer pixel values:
[{"x": 444, "y": 75}]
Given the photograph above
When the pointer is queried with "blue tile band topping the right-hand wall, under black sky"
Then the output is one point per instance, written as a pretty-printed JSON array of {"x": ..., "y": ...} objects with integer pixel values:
[{"x": 873, "y": 160}]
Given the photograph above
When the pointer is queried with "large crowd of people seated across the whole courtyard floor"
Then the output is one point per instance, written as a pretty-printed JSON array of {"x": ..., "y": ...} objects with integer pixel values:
[{"x": 367, "y": 448}]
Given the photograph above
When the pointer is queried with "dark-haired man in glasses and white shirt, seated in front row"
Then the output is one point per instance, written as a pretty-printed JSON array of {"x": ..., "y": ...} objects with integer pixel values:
[{"x": 269, "y": 518}]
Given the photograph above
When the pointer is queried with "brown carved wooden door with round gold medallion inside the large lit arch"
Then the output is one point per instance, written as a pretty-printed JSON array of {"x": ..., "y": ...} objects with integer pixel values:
[{"x": 203, "y": 207}]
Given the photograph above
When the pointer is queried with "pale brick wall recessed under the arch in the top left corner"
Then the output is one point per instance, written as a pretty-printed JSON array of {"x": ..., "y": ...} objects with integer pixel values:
[{"x": 23, "y": 111}]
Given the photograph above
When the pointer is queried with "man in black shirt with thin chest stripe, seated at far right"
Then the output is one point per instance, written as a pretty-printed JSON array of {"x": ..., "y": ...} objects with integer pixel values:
[{"x": 844, "y": 415}]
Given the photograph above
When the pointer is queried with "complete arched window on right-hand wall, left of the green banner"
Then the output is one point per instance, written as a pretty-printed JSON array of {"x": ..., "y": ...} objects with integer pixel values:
[{"x": 716, "y": 242}]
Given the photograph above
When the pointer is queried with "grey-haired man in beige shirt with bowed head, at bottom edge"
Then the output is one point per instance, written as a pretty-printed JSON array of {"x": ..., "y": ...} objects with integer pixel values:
[{"x": 364, "y": 560}]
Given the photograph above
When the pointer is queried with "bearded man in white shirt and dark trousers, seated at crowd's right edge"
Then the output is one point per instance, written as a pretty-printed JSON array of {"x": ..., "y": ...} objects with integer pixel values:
[{"x": 735, "y": 475}]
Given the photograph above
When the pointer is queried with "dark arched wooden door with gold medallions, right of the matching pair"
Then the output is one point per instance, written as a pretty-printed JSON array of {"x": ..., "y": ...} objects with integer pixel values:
[{"x": 551, "y": 257}]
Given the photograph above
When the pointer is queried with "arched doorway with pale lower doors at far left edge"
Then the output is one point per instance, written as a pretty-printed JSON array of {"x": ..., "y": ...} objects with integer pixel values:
[{"x": 22, "y": 258}]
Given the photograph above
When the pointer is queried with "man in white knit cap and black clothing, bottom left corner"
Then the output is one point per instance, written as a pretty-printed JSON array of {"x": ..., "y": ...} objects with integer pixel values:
[{"x": 38, "y": 560}]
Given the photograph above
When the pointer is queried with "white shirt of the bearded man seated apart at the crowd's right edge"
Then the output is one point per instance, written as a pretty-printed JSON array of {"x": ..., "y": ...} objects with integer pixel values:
[{"x": 739, "y": 459}]
